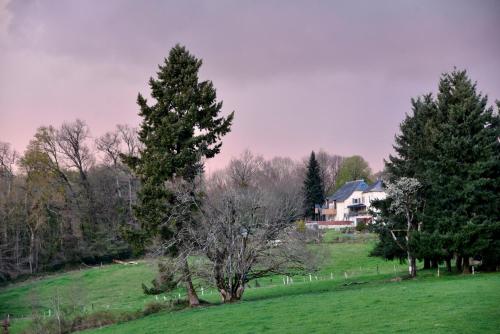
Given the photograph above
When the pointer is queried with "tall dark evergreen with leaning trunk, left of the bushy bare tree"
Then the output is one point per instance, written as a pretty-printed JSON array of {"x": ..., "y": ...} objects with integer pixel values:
[{"x": 179, "y": 131}]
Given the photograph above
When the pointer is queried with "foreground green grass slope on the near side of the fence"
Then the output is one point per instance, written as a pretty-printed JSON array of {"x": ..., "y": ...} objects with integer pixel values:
[{"x": 447, "y": 305}]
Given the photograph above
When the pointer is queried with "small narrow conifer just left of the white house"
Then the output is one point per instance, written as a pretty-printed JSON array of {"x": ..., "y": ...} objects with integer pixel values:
[{"x": 313, "y": 186}]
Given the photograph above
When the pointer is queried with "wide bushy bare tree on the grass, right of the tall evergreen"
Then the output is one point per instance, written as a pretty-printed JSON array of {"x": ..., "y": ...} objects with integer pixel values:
[{"x": 246, "y": 227}]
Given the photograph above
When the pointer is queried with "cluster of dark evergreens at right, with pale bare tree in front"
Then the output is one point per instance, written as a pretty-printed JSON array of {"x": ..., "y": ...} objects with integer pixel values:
[{"x": 444, "y": 181}]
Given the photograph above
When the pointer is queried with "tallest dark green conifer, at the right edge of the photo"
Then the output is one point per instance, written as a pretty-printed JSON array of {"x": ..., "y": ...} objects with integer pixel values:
[{"x": 465, "y": 172}]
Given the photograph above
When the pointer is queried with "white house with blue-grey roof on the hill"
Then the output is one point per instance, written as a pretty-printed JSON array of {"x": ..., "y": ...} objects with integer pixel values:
[{"x": 352, "y": 202}]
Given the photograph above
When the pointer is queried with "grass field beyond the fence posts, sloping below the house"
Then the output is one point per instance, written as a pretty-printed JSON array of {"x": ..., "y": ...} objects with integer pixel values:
[{"x": 119, "y": 286}]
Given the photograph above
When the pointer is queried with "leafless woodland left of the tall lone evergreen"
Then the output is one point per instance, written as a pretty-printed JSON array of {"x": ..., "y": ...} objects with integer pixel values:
[{"x": 65, "y": 199}]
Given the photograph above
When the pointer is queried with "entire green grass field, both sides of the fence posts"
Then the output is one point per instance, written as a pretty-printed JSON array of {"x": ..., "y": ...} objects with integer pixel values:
[{"x": 361, "y": 297}]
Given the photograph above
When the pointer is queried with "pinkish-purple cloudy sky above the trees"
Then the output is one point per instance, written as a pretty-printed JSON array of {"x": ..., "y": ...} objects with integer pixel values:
[{"x": 300, "y": 75}]
